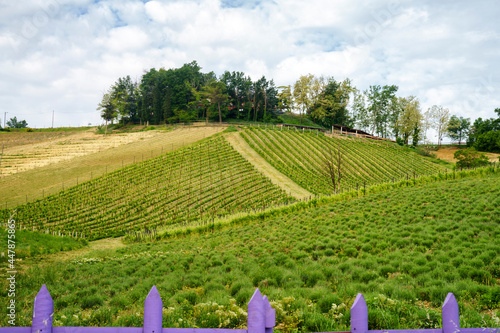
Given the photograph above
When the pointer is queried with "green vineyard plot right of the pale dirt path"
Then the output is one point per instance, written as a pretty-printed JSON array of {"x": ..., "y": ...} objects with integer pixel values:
[{"x": 299, "y": 155}]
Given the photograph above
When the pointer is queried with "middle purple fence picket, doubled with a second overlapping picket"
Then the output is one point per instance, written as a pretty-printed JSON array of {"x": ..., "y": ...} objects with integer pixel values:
[{"x": 261, "y": 316}]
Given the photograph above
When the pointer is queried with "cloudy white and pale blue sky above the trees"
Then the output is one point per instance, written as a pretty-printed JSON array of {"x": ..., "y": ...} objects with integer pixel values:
[{"x": 61, "y": 55}]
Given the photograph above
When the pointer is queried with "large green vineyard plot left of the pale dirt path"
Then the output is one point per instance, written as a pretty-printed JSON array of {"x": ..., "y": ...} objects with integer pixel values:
[{"x": 198, "y": 182}]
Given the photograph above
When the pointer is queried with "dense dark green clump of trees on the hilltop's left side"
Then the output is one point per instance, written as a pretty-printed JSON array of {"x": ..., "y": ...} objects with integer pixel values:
[{"x": 186, "y": 94}]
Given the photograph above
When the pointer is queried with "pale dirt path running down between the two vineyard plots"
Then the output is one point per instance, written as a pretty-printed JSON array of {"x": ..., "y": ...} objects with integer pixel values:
[{"x": 264, "y": 167}]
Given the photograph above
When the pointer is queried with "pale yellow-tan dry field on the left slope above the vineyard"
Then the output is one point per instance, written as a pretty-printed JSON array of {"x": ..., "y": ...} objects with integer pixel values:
[{"x": 97, "y": 155}]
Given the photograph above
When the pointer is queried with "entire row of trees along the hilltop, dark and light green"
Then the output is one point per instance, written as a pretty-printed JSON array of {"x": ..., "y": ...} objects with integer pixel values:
[{"x": 186, "y": 94}]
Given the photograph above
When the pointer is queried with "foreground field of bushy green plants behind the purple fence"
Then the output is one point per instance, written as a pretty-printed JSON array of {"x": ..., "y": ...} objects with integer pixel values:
[{"x": 404, "y": 249}]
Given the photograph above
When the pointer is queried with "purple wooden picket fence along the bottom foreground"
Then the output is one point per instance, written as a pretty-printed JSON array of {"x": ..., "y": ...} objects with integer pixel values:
[{"x": 261, "y": 319}]
